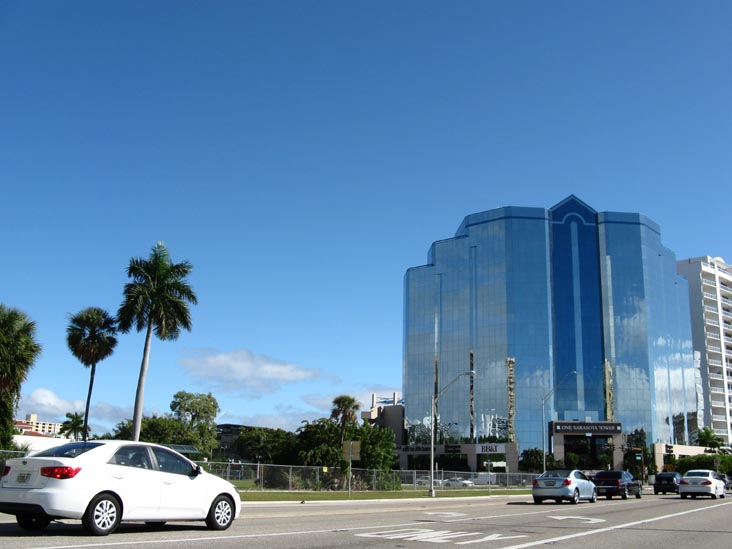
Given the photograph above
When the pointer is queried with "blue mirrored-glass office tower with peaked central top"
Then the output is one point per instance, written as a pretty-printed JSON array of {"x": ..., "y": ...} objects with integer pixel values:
[{"x": 587, "y": 305}]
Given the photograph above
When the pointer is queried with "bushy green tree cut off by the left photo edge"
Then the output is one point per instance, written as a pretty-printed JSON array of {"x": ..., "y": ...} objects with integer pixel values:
[{"x": 18, "y": 352}]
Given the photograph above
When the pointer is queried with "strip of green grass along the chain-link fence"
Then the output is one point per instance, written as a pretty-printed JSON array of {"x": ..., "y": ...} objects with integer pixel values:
[{"x": 257, "y": 495}]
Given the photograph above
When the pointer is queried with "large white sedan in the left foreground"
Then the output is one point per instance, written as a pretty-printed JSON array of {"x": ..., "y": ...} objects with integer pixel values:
[{"x": 104, "y": 482}]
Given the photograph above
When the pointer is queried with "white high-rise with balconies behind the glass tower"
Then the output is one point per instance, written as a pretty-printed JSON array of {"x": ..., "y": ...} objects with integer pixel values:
[{"x": 710, "y": 300}]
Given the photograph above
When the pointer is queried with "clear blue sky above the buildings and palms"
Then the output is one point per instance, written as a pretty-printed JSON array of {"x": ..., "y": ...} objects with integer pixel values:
[{"x": 303, "y": 155}]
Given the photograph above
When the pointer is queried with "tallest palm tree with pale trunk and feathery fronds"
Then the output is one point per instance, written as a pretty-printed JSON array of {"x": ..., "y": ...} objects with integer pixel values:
[{"x": 155, "y": 301}]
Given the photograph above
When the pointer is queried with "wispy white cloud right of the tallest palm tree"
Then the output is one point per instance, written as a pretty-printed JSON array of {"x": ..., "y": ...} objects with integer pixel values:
[{"x": 243, "y": 372}]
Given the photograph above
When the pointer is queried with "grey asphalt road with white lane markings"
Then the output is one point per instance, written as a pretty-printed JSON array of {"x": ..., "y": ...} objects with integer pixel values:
[{"x": 494, "y": 522}]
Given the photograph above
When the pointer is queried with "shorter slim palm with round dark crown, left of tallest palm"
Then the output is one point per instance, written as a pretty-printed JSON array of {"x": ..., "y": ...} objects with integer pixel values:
[{"x": 91, "y": 338}]
